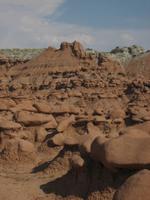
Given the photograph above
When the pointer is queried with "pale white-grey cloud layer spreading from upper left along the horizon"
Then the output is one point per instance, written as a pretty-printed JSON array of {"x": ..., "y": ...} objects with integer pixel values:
[{"x": 23, "y": 24}]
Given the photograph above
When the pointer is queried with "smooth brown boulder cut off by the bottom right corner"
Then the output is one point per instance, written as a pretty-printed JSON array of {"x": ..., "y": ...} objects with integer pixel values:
[{"x": 135, "y": 187}]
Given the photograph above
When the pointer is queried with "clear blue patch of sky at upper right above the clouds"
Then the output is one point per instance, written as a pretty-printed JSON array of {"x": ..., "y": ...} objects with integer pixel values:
[{"x": 107, "y": 13}]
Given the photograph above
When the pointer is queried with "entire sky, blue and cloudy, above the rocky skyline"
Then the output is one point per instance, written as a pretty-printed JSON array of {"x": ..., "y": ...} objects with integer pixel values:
[{"x": 98, "y": 24}]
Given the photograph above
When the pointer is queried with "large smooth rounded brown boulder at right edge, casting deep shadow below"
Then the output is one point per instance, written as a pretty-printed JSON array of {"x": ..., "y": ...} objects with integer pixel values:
[{"x": 125, "y": 151}]
